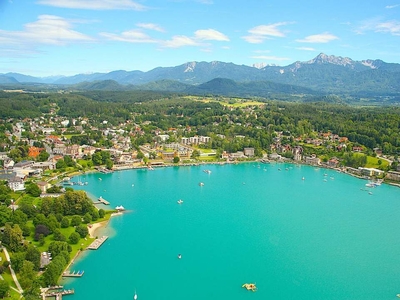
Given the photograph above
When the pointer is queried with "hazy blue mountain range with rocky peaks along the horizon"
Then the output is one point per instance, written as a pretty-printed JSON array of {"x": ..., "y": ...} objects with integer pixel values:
[{"x": 322, "y": 74}]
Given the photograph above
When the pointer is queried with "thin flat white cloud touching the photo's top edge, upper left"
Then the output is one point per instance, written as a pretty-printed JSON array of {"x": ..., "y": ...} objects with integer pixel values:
[{"x": 94, "y": 4}]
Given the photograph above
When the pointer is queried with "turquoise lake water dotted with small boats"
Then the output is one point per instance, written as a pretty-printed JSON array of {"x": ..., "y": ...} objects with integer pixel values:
[{"x": 324, "y": 237}]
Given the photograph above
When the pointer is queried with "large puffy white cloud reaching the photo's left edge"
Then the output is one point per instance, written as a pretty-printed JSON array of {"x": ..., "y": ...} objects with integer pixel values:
[{"x": 47, "y": 29}]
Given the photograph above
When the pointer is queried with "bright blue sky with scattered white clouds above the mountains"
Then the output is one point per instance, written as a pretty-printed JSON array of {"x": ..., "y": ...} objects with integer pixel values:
[{"x": 67, "y": 37}]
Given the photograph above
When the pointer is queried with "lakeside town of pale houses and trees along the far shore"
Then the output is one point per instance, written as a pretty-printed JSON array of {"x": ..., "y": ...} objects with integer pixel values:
[{"x": 49, "y": 142}]
